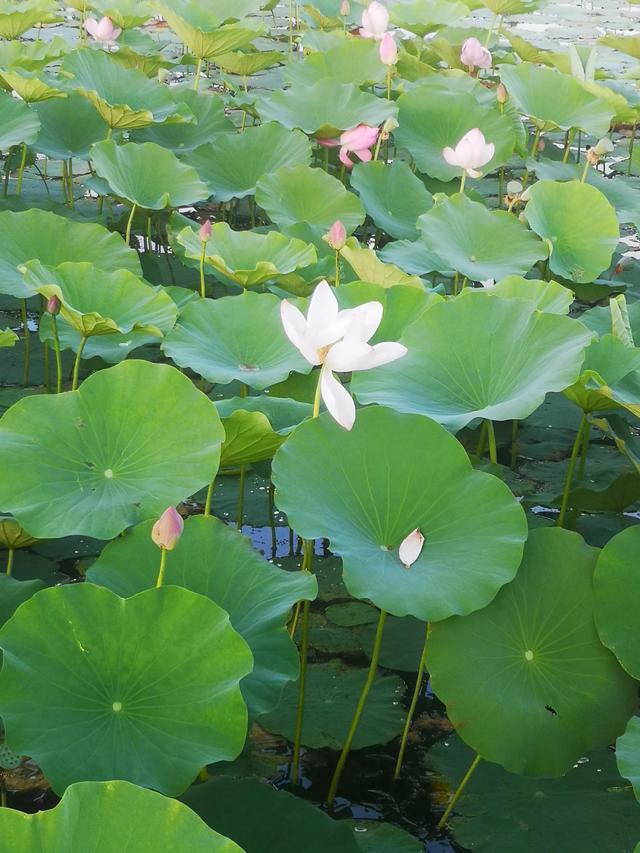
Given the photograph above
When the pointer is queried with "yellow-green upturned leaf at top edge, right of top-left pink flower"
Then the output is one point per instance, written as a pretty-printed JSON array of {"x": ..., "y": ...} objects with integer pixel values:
[{"x": 206, "y": 39}]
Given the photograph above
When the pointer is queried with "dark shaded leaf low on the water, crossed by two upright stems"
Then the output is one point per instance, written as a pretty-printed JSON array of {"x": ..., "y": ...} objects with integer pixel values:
[{"x": 332, "y": 685}]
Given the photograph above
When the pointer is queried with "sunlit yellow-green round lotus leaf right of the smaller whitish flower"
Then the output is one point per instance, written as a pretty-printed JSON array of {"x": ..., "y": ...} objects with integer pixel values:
[{"x": 579, "y": 225}]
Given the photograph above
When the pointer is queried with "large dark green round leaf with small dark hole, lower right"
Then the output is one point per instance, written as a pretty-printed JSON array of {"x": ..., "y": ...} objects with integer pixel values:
[{"x": 526, "y": 681}]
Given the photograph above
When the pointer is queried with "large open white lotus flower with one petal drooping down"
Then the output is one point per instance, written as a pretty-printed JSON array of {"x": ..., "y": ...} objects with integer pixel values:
[{"x": 338, "y": 340}]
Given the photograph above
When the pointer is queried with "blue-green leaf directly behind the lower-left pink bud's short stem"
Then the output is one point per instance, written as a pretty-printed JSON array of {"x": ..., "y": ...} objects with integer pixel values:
[{"x": 217, "y": 561}]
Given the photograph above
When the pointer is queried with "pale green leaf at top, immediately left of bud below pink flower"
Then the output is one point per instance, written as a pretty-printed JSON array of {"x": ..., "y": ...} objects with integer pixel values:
[{"x": 355, "y": 61}]
